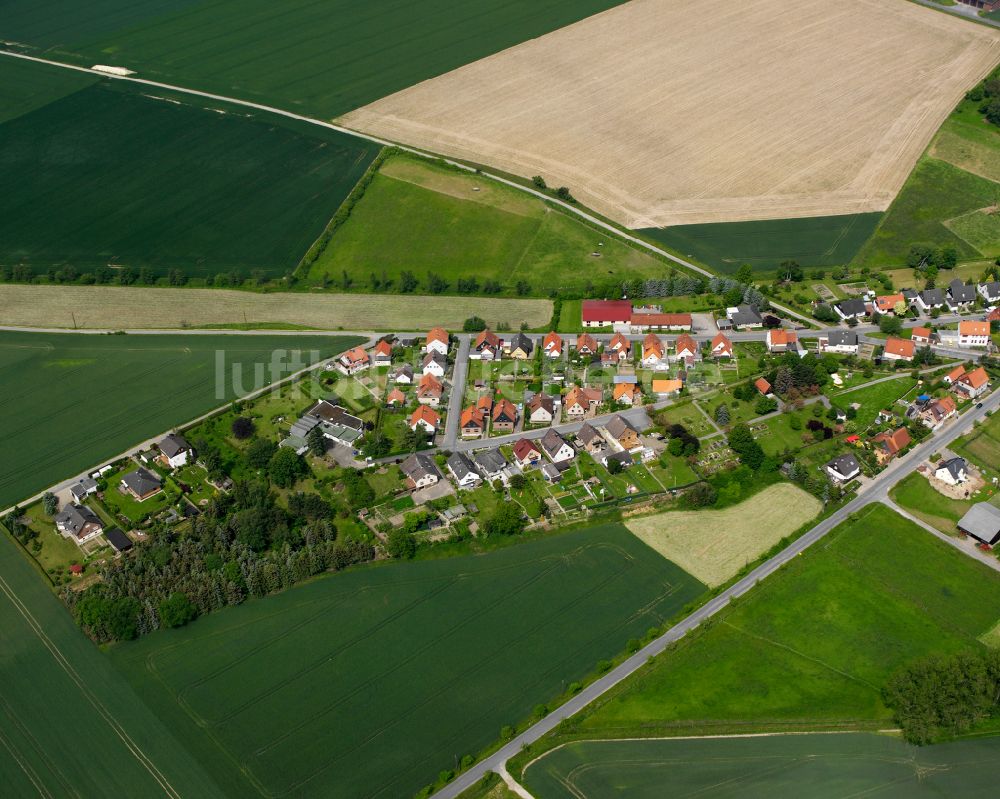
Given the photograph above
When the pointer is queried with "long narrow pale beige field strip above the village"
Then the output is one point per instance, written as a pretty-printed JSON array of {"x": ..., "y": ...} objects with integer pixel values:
[{"x": 90, "y": 307}]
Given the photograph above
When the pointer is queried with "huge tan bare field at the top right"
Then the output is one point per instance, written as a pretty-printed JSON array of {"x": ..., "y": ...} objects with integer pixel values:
[{"x": 660, "y": 114}]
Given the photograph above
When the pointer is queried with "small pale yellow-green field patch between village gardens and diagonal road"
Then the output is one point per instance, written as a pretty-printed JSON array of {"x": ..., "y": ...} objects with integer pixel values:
[{"x": 713, "y": 545}]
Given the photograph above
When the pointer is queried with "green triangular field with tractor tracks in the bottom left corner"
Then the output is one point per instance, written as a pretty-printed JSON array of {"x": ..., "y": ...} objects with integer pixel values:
[{"x": 69, "y": 723}]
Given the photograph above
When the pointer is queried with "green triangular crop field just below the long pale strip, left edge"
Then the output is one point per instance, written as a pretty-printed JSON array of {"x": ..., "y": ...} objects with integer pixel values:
[{"x": 75, "y": 400}]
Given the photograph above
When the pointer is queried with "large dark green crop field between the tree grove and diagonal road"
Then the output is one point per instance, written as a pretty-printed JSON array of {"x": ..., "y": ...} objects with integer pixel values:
[{"x": 368, "y": 683}]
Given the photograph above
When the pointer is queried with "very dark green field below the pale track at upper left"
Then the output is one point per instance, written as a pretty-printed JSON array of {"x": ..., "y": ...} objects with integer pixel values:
[{"x": 108, "y": 176}]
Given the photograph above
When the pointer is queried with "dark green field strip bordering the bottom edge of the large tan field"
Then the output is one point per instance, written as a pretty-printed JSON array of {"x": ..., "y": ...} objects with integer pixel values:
[{"x": 725, "y": 246}]
